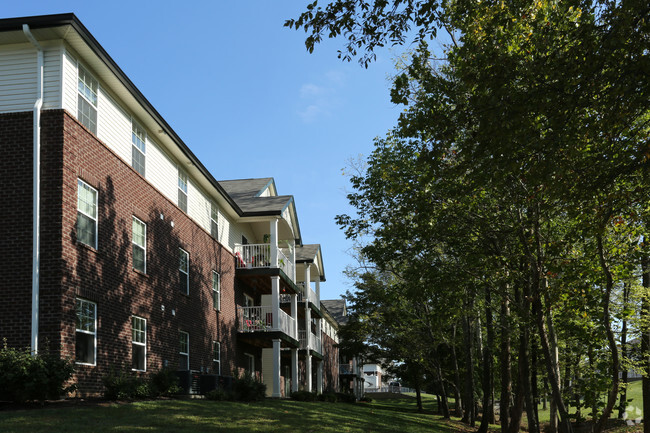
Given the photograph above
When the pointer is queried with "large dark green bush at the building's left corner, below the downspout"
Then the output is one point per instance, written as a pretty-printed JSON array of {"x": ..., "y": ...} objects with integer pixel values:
[{"x": 24, "y": 377}]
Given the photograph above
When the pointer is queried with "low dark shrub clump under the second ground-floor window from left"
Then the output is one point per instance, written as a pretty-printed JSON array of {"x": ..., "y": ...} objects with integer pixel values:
[{"x": 124, "y": 385}]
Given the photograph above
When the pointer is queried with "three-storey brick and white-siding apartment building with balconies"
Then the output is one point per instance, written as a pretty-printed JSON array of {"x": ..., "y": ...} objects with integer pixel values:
[{"x": 122, "y": 249}]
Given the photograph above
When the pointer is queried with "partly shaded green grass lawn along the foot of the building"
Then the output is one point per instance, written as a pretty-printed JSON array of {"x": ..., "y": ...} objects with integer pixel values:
[{"x": 212, "y": 416}]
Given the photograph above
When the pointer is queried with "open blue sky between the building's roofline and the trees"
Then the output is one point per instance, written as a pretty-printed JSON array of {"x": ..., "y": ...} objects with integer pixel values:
[{"x": 246, "y": 97}]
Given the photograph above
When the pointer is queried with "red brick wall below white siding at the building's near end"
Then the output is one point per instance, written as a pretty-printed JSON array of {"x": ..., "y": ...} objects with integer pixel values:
[{"x": 105, "y": 275}]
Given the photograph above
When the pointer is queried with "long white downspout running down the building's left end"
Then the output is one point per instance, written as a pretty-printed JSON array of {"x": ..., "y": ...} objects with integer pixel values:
[{"x": 36, "y": 189}]
